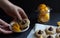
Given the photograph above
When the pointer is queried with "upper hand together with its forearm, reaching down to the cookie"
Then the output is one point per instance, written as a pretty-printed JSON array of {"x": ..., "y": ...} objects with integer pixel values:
[{"x": 13, "y": 10}]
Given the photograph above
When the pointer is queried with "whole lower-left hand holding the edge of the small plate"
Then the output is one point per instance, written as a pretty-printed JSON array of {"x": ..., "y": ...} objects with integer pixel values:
[{"x": 4, "y": 27}]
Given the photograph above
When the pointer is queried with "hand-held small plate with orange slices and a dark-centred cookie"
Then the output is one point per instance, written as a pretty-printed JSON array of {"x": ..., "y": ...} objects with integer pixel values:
[{"x": 17, "y": 26}]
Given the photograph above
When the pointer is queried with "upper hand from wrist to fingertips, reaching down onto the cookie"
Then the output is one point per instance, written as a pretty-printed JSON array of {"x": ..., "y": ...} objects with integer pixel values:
[{"x": 16, "y": 12}]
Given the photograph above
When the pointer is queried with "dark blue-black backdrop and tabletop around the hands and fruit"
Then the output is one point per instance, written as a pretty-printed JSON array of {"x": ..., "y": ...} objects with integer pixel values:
[{"x": 30, "y": 6}]
